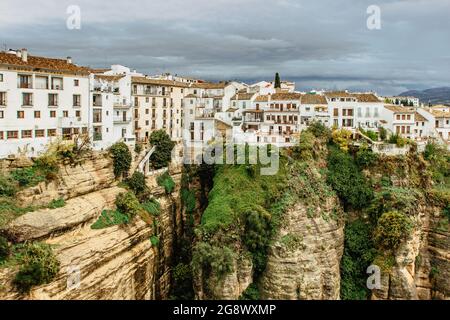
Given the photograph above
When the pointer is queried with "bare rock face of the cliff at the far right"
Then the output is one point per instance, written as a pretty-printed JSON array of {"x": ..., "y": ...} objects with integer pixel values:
[{"x": 422, "y": 263}]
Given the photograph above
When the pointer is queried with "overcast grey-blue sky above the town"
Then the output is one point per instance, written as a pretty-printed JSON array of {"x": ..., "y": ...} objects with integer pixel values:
[{"x": 318, "y": 44}]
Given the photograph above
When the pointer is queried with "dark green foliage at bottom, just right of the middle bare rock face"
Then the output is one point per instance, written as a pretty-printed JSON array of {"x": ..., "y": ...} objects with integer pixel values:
[{"x": 358, "y": 254}]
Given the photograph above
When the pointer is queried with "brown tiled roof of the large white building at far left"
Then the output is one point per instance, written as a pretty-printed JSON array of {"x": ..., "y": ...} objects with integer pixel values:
[{"x": 43, "y": 63}]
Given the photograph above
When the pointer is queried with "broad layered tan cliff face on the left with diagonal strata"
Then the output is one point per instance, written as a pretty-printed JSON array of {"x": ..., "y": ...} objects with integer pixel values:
[{"x": 117, "y": 262}]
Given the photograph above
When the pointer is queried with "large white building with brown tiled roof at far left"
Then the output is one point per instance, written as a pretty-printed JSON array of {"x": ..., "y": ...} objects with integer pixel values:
[{"x": 40, "y": 99}]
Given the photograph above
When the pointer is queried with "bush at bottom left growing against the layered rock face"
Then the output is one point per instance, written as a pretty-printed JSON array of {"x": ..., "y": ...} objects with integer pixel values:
[{"x": 39, "y": 266}]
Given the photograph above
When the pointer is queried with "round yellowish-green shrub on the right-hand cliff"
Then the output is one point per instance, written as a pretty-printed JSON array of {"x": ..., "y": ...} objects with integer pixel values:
[{"x": 393, "y": 227}]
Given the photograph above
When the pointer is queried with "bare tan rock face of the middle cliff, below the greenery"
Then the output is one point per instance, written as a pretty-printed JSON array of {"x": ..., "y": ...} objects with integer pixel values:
[{"x": 303, "y": 263}]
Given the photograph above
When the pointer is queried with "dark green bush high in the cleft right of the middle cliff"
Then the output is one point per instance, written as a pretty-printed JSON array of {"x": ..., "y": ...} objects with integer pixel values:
[{"x": 347, "y": 180}]
